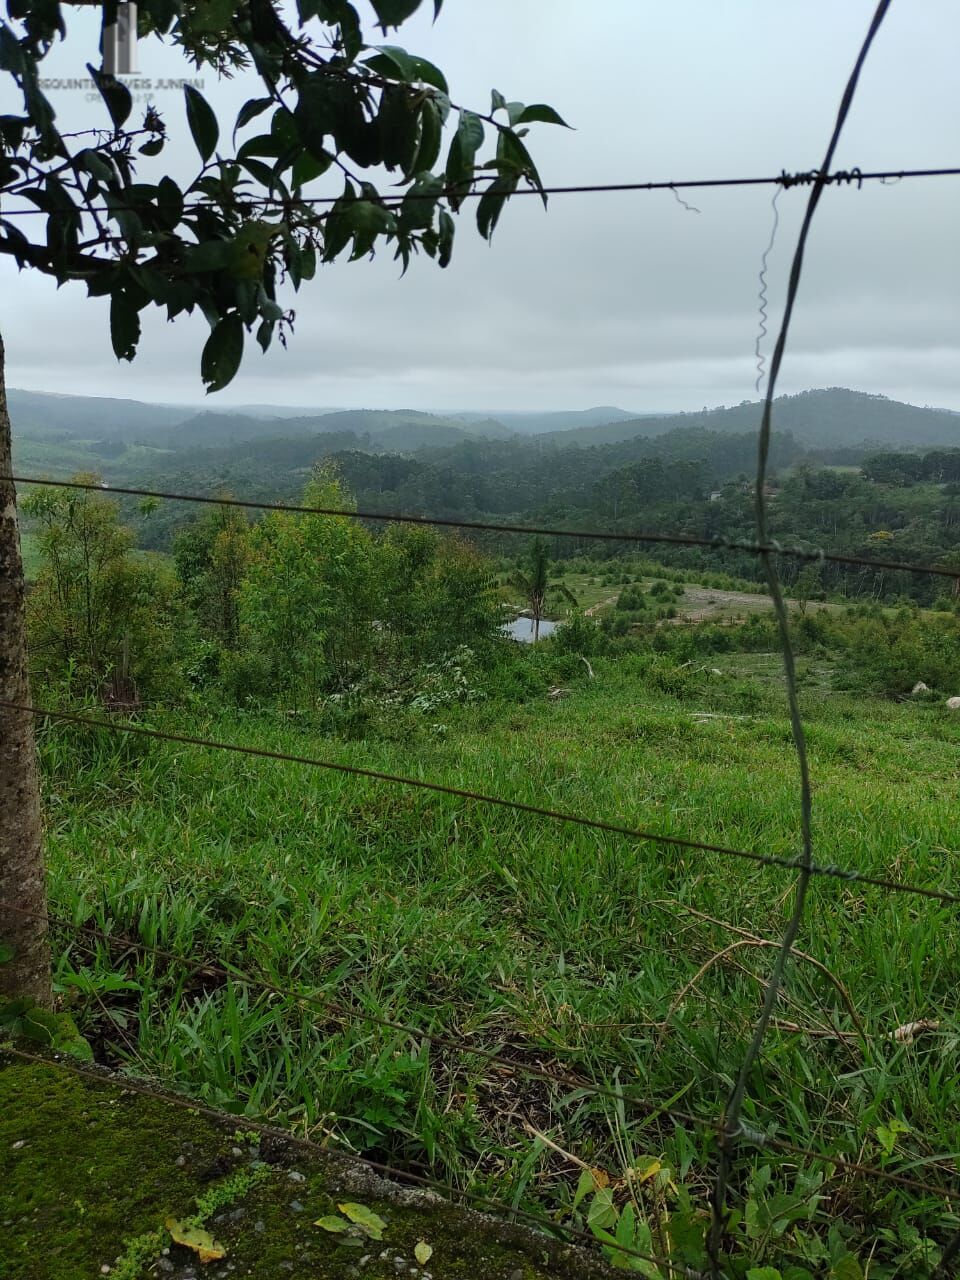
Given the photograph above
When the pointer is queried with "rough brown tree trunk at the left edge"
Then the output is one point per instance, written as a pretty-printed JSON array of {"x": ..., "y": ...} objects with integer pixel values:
[{"x": 22, "y": 875}]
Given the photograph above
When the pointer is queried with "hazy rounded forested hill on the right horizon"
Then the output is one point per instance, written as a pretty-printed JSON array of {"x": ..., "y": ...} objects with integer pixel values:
[{"x": 834, "y": 419}]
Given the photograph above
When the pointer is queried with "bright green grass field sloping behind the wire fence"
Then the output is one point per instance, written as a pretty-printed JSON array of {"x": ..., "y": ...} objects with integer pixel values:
[{"x": 614, "y": 961}]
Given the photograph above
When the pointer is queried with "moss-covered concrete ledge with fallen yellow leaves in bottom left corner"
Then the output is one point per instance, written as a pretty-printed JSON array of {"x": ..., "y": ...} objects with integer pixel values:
[{"x": 92, "y": 1172}]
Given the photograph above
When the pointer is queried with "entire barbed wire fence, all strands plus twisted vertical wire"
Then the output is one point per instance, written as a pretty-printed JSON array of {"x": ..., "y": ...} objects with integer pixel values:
[{"x": 730, "y": 1131}]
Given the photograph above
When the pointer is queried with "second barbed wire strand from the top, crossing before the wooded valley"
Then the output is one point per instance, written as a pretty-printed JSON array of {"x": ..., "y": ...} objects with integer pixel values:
[{"x": 717, "y": 543}]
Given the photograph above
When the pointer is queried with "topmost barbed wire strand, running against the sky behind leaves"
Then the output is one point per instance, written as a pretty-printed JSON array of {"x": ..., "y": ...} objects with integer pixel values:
[{"x": 785, "y": 181}]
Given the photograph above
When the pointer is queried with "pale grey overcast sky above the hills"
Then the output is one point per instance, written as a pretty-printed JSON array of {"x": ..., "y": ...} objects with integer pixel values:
[{"x": 624, "y": 300}]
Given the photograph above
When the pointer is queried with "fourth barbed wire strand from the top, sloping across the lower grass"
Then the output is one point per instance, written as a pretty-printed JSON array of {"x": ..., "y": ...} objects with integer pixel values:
[{"x": 650, "y": 1107}]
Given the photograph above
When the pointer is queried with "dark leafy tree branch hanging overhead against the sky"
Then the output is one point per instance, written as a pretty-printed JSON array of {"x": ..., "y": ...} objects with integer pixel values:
[{"x": 257, "y": 217}]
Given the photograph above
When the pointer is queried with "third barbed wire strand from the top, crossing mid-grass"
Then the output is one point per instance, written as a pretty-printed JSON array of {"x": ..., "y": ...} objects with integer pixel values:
[{"x": 770, "y": 861}]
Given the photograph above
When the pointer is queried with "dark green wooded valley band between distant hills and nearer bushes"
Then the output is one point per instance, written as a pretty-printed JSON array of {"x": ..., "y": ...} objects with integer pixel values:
[{"x": 694, "y": 482}]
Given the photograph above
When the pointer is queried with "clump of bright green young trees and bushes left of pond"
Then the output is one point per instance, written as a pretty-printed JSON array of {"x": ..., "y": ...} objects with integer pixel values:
[{"x": 285, "y": 609}]
